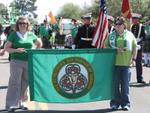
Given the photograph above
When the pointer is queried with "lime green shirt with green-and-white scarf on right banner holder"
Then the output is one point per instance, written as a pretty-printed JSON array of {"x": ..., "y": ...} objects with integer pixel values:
[{"x": 127, "y": 41}]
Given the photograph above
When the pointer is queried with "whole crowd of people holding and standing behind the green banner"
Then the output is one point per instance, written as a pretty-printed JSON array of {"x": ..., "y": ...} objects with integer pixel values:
[{"x": 131, "y": 45}]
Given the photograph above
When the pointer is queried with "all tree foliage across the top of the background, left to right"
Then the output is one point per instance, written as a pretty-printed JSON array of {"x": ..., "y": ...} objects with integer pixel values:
[{"x": 70, "y": 10}]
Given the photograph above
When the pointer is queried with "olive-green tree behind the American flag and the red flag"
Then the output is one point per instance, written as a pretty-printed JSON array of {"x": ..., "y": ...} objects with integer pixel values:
[{"x": 114, "y": 7}]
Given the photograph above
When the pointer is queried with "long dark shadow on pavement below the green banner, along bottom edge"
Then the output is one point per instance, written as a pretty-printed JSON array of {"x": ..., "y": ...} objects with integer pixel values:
[{"x": 54, "y": 111}]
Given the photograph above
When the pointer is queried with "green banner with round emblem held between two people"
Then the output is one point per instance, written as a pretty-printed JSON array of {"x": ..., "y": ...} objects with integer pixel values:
[{"x": 71, "y": 76}]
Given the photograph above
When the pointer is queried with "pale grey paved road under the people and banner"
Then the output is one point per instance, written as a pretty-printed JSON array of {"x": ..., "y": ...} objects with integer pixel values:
[{"x": 140, "y": 97}]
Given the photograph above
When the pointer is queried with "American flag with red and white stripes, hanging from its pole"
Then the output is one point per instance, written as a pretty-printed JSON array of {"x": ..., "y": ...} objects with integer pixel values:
[{"x": 101, "y": 30}]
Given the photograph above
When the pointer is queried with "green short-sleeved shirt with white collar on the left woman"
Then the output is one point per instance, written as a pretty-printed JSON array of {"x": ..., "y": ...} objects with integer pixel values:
[{"x": 18, "y": 42}]
